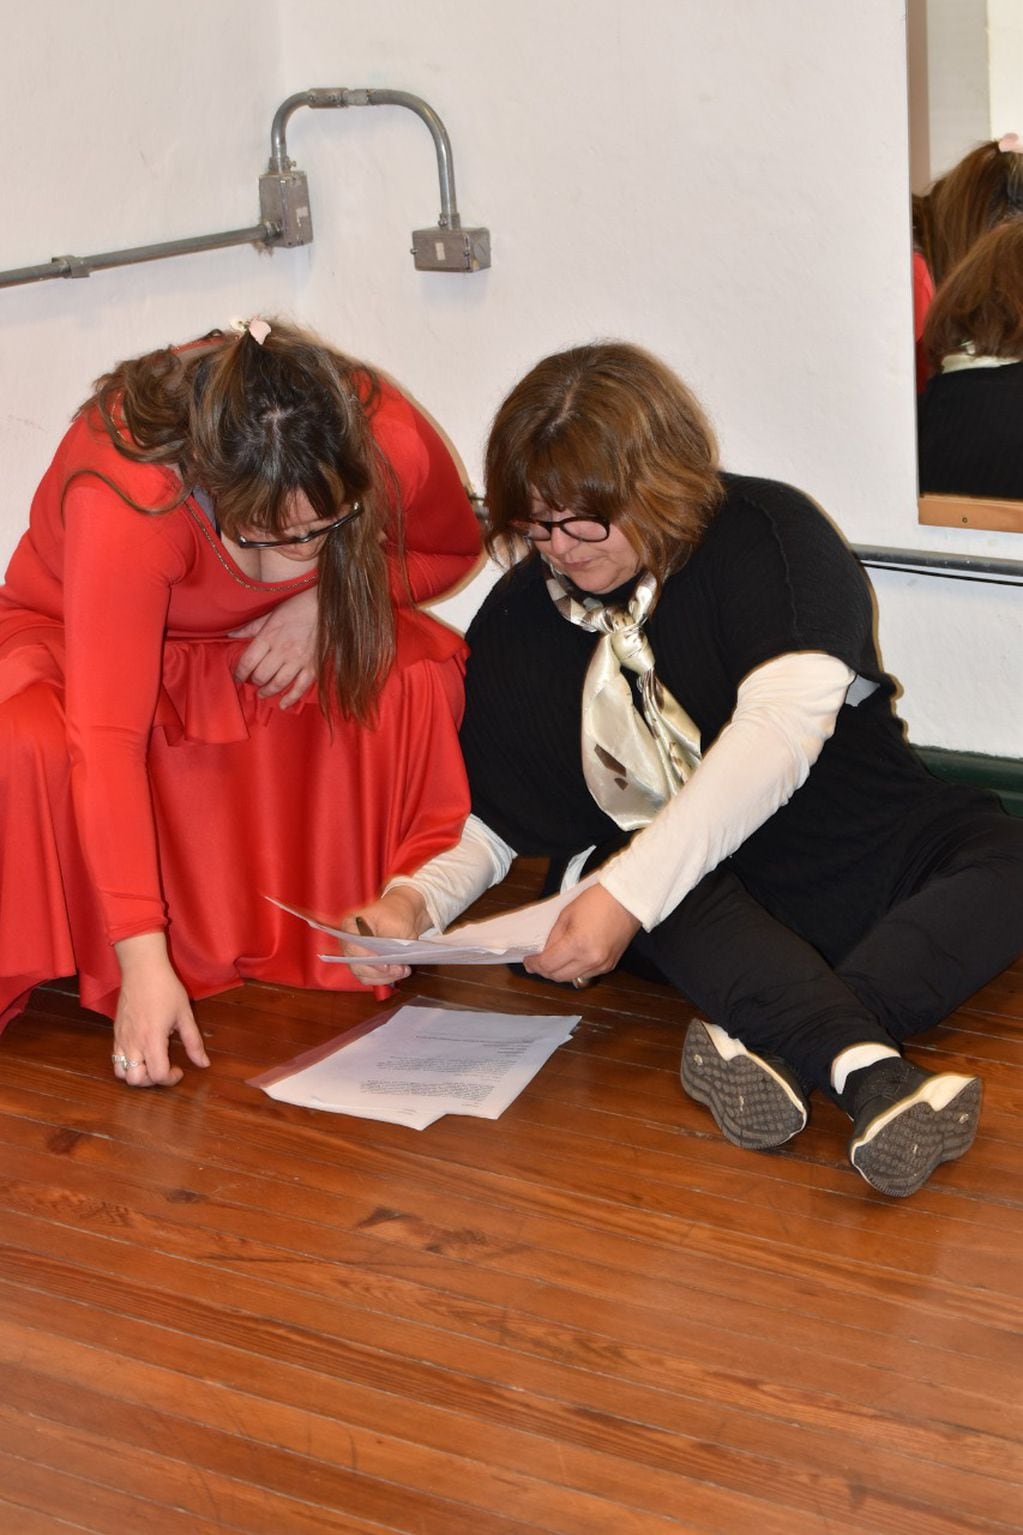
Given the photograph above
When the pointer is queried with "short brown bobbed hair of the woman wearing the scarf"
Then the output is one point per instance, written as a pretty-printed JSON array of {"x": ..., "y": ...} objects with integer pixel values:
[{"x": 611, "y": 432}]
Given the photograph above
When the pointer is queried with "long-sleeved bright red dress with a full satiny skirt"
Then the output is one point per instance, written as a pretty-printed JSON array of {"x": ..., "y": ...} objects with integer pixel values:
[{"x": 142, "y": 788}]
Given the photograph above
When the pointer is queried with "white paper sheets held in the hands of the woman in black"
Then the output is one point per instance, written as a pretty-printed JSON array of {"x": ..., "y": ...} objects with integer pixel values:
[{"x": 505, "y": 939}]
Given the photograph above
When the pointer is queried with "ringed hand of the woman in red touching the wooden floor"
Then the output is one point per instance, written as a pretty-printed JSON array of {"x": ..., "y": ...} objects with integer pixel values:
[{"x": 153, "y": 1006}]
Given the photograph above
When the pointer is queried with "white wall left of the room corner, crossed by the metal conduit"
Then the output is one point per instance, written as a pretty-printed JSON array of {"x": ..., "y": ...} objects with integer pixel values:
[{"x": 125, "y": 124}]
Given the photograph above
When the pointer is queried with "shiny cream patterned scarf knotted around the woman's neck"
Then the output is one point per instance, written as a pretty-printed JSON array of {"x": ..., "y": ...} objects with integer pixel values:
[{"x": 632, "y": 762}]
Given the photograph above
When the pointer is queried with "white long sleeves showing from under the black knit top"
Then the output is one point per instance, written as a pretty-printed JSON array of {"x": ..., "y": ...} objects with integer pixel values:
[{"x": 784, "y": 715}]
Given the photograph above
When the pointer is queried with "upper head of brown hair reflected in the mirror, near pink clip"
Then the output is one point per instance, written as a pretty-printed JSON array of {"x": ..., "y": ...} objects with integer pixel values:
[{"x": 982, "y": 191}]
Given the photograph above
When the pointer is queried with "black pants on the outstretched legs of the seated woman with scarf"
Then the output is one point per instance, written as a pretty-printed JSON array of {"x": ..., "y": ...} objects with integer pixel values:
[{"x": 953, "y": 919}]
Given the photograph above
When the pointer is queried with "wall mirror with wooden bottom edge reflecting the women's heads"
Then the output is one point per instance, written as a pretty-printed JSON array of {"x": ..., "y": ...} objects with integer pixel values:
[{"x": 967, "y": 177}]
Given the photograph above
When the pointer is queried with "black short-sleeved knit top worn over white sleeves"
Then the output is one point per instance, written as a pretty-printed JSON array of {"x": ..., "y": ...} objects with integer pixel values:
[{"x": 770, "y": 578}]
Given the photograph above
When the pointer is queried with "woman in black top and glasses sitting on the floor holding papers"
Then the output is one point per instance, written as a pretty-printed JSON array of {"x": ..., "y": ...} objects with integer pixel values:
[{"x": 677, "y": 684}]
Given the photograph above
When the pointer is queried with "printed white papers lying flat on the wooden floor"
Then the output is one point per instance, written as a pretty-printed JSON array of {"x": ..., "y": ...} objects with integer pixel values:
[{"x": 420, "y": 1061}]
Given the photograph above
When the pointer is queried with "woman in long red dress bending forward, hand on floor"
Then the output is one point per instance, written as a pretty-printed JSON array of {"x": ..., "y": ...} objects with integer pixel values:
[{"x": 173, "y": 747}]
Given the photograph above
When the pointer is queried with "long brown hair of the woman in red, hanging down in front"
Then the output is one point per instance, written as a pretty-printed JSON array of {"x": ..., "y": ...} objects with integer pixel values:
[{"x": 253, "y": 424}]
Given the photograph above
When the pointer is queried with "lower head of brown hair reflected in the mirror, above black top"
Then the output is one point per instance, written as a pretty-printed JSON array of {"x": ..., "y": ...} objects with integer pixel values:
[{"x": 981, "y": 303}]
